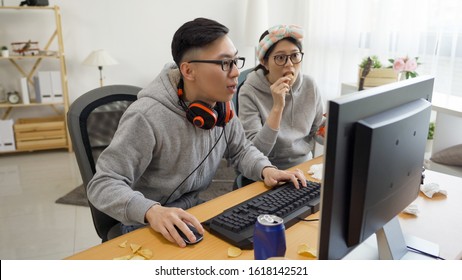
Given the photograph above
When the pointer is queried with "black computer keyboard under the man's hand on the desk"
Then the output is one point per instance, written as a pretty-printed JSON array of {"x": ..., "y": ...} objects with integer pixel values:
[{"x": 236, "y": 224}]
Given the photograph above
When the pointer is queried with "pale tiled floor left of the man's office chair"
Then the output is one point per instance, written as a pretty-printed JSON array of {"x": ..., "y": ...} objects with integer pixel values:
[{"x": 32, "y": 225}]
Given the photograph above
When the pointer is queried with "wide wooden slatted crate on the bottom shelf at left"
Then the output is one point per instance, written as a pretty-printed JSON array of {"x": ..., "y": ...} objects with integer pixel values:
[{"x": 40, "y": 133}]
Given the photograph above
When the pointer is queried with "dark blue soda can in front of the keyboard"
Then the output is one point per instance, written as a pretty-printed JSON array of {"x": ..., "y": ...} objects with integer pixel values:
[{"x": 269, "y": 239}]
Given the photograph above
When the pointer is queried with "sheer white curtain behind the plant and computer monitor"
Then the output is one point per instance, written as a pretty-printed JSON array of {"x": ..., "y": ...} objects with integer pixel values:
[{"x": 340, "y": 33}]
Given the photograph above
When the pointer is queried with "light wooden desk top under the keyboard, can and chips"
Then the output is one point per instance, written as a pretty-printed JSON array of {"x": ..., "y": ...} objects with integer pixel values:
[{"x": 431, "y": 225}]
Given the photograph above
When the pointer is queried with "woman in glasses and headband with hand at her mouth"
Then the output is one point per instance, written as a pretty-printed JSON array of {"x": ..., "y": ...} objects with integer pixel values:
[{"x": 280, "y": 108}]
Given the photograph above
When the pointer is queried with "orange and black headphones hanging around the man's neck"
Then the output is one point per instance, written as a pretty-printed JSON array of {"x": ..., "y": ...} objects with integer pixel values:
[{"x": 201, "y": 115}]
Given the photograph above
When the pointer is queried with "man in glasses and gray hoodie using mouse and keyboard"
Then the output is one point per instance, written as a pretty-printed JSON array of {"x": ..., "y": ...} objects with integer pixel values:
[{"x": 170, "y": 141}]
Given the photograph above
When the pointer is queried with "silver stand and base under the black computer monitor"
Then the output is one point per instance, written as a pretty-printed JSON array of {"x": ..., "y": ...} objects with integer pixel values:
[{"x": 392, "y": 245}]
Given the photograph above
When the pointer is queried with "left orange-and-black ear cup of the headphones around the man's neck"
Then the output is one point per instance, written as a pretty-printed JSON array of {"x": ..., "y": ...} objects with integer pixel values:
[{"x": 201, "y": 115}]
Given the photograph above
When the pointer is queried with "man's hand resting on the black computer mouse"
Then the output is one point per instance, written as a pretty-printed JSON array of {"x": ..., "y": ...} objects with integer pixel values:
[{"x": 163, "y": 220}]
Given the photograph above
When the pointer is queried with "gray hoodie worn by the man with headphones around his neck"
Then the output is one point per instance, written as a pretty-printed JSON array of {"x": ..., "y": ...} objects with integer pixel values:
[{"x": 155, "y": 148}]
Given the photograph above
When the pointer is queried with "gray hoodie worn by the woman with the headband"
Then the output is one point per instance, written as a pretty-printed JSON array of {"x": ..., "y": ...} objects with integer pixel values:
[{"x": 293, "y": 142}]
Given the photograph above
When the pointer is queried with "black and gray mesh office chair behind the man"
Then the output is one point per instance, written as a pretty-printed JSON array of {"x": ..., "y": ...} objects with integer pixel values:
[{"x": 92, "y": 121}]
